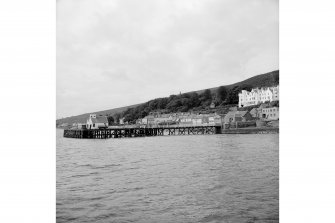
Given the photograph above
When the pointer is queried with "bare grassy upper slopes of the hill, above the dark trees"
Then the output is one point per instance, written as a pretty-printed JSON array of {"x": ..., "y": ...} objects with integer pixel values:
[{"x": 262, "y": 80}]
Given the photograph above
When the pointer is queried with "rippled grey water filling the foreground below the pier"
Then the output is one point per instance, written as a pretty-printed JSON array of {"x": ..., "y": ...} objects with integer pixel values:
[{"x": 213, "y": 178}]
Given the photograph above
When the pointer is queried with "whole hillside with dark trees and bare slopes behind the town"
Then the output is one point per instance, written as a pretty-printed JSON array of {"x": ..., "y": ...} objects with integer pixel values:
[{"x": 223, "y": 96}]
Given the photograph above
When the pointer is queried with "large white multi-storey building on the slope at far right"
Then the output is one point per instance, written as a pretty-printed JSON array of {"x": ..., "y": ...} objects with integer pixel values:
[{"x": 257, "y": 96}]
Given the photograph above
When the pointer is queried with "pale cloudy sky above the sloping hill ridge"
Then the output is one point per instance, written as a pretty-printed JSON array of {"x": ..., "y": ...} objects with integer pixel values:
[{"x": 114, "y": 53}]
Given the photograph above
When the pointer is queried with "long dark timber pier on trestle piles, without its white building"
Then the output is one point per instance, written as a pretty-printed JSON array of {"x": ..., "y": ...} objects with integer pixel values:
[{"x": 140, "y": 132}]
